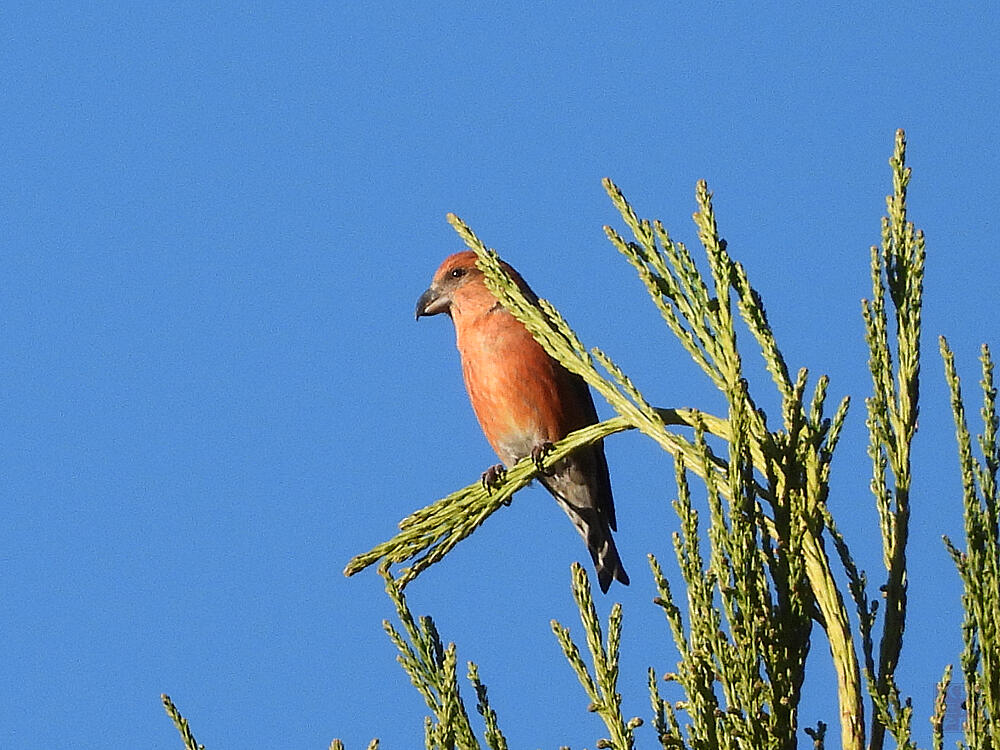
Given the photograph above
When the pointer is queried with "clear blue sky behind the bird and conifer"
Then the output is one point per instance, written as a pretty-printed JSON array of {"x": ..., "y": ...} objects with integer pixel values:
[{"x": 216, "y": 221}]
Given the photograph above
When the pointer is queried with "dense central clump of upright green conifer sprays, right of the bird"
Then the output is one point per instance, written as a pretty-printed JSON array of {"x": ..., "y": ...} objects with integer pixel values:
[{"x": 751, "y": 601}]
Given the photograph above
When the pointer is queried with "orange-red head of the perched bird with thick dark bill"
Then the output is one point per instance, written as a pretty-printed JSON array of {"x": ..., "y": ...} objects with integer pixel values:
[{"x": 459, "y": 289}]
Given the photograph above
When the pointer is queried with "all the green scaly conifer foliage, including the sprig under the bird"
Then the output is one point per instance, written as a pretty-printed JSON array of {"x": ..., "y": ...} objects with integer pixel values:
[{"x": 751, "y": 539}]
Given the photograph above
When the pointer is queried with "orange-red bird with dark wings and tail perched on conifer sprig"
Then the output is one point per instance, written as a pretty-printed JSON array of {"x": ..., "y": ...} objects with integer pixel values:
[{"x": 525, "y": 401}]
